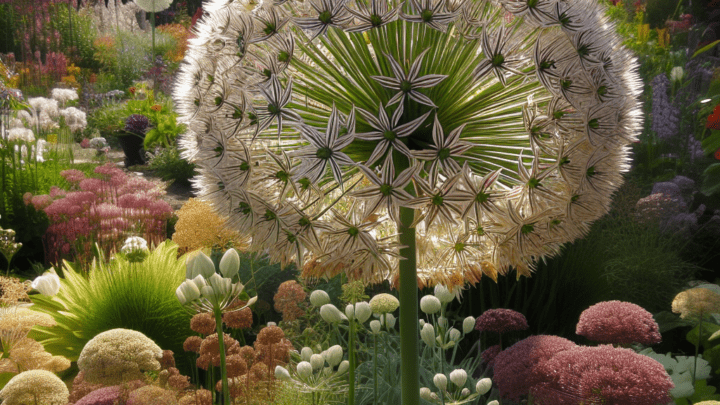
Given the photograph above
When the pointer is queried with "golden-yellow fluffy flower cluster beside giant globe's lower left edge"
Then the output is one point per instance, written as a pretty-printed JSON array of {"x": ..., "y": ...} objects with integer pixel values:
[{"x": 198, "y": 226}]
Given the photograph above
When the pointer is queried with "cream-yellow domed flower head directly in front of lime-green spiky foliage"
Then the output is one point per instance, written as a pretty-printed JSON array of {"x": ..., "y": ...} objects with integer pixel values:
[{"x": 118, "y": 355}]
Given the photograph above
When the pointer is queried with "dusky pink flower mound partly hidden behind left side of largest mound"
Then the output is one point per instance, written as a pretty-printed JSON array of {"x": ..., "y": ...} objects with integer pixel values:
[{"x": 516, "y": 367}]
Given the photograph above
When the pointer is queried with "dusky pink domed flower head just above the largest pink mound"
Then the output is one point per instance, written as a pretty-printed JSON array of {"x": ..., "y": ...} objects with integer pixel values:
[{"x": 618, "y": 322}]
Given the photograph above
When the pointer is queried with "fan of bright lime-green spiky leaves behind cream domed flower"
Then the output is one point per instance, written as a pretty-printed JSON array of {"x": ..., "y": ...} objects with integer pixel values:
[{"x": 137, "y": 296}]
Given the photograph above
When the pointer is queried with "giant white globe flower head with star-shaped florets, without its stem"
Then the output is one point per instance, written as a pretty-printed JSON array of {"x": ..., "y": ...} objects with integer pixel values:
[{"x": 504, "y": 124}]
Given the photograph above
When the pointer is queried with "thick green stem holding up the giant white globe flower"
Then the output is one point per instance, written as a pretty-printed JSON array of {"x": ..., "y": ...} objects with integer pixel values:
[{"x": 409, "y": 367}]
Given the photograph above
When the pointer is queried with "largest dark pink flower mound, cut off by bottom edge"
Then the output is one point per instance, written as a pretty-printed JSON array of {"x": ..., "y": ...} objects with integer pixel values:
[{"x": 602, "y": 374}]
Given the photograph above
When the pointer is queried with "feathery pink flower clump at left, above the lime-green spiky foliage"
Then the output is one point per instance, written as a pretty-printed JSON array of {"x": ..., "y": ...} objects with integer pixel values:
[{"x": 107, "y": 209}]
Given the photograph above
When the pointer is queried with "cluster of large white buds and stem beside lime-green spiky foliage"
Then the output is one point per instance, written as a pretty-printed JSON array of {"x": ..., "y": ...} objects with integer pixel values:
[{"x": 206, "y": 290}]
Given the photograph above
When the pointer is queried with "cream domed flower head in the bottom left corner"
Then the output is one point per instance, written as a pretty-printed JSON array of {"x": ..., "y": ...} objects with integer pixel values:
[{"x": 35, "y": 387}]
